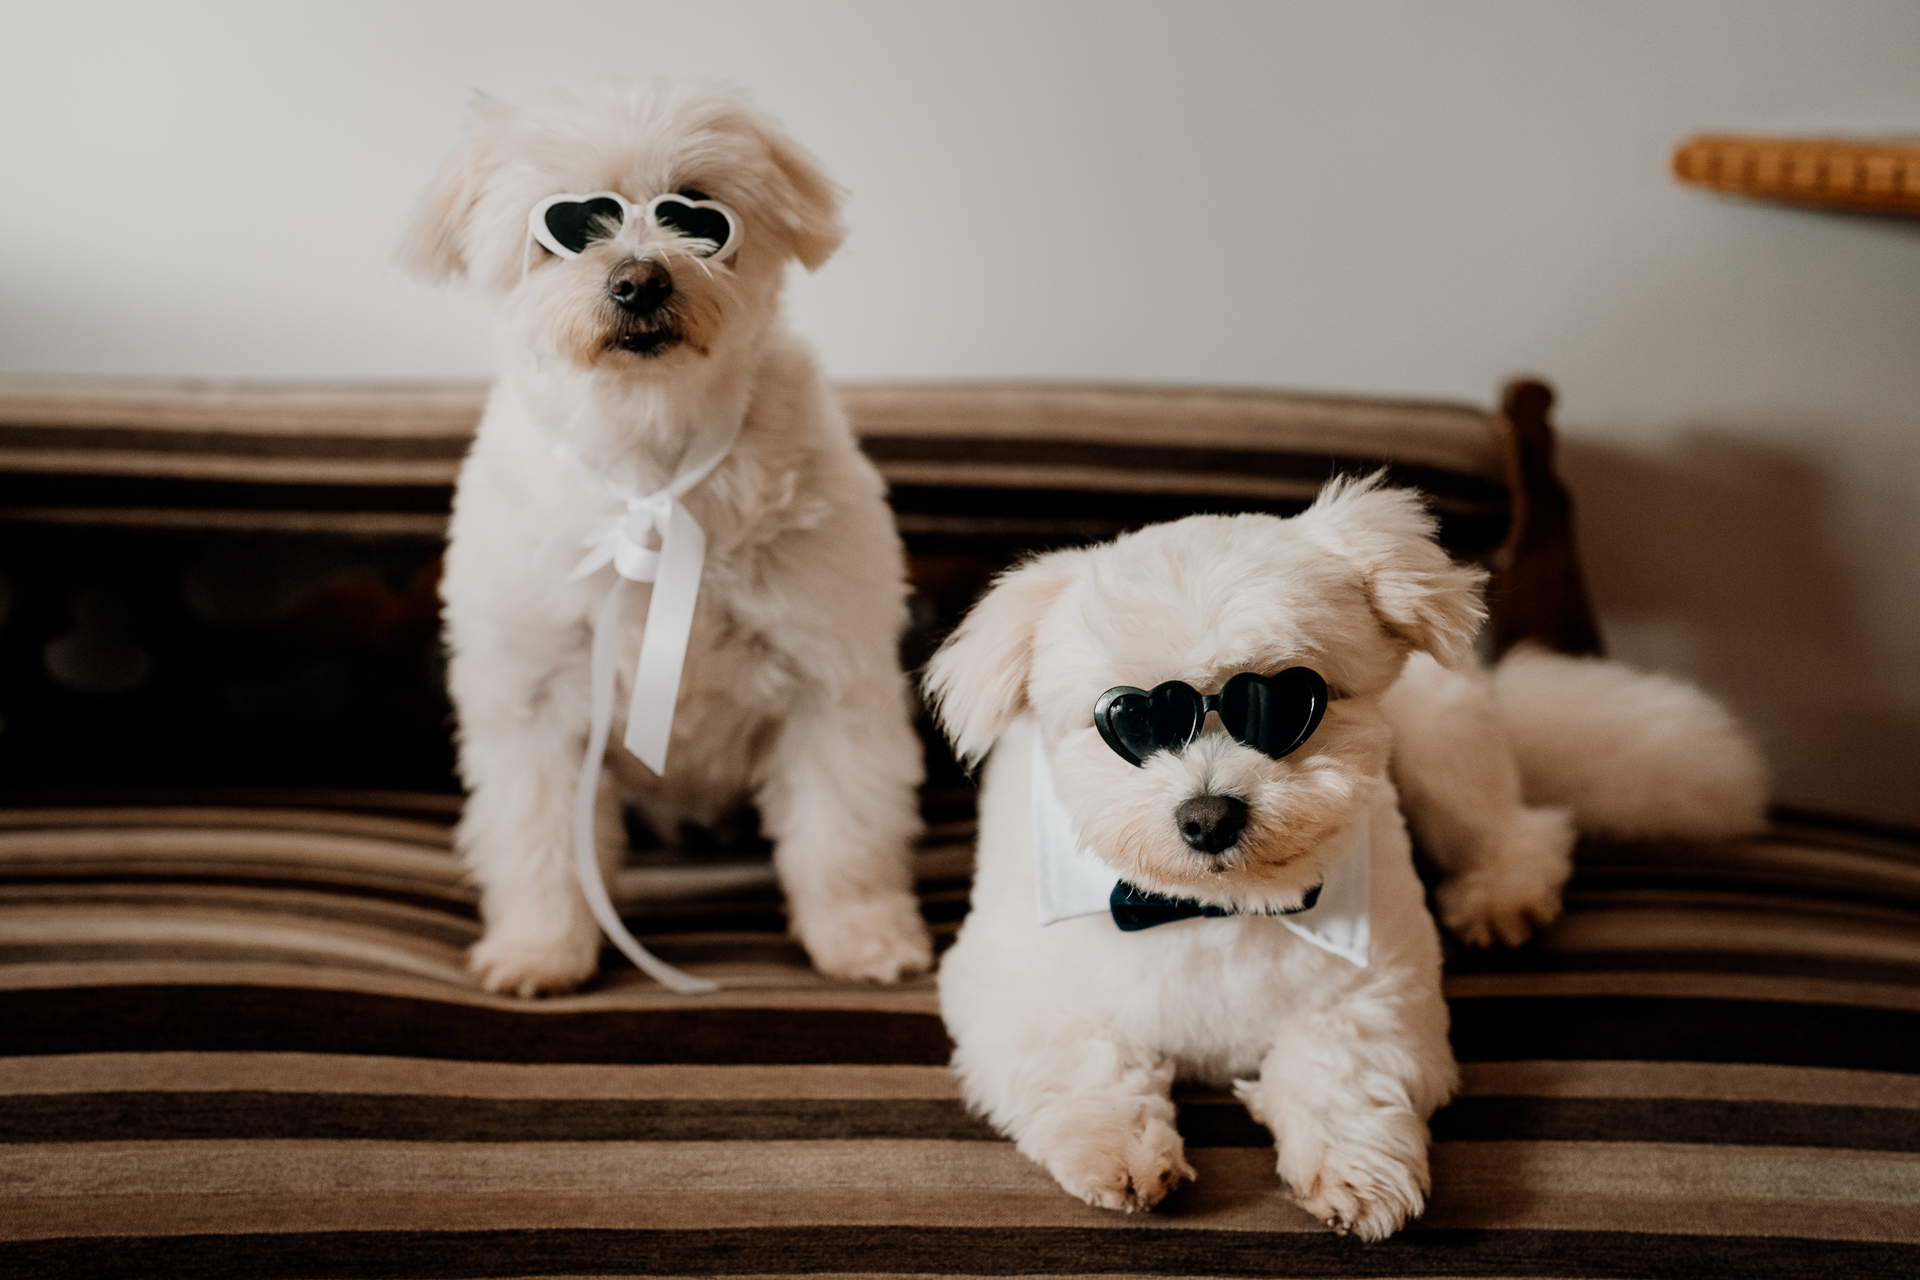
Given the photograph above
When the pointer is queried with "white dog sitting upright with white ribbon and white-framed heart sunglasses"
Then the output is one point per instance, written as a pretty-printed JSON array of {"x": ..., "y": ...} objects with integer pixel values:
[{"x": 654, "y": 414}]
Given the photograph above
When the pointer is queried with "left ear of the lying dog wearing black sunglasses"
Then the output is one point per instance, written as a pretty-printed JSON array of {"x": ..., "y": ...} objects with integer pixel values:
[{"x": 978, "y": 680}]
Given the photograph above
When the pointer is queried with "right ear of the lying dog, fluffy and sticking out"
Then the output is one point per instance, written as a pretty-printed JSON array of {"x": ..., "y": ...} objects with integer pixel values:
[{"x": 1418, "y": 592}]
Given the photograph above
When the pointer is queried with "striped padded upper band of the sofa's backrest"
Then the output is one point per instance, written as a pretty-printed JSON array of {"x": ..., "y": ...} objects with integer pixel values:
[{"x": 1013, "y": 440}]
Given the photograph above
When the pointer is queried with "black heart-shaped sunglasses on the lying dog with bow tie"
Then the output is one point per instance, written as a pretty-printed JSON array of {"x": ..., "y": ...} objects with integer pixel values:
[{"x": 1274, "y": 715}]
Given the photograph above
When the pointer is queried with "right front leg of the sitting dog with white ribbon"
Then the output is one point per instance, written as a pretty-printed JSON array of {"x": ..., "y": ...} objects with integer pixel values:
[{"x": 840, "y": 799}]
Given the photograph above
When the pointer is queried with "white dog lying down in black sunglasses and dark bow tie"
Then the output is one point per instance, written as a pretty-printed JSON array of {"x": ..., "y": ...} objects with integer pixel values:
[{"x": 1163, "y": 895}]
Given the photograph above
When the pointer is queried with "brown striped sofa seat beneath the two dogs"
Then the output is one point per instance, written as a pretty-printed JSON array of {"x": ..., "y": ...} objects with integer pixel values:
[{"x": 241, "y": 1043}]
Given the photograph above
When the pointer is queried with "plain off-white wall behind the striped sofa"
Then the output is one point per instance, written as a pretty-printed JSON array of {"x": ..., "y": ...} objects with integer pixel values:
[{"x": 1393, "y": 199}]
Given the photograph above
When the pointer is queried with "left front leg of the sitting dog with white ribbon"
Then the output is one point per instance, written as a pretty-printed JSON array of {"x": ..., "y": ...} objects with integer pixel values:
[{"x": 521, "y": 763}]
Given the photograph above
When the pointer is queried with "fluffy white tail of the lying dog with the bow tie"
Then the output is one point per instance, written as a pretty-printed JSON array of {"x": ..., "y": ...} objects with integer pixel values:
[{"x": 1629, "y": 753}]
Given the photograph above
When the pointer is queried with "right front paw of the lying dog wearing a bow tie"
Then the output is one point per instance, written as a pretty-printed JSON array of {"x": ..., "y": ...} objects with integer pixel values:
[{"x": 1358, "y": 1189}]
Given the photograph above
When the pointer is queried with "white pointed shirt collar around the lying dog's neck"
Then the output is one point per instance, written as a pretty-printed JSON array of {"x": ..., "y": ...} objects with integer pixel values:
[{"x": 1070, "y": 880}]
